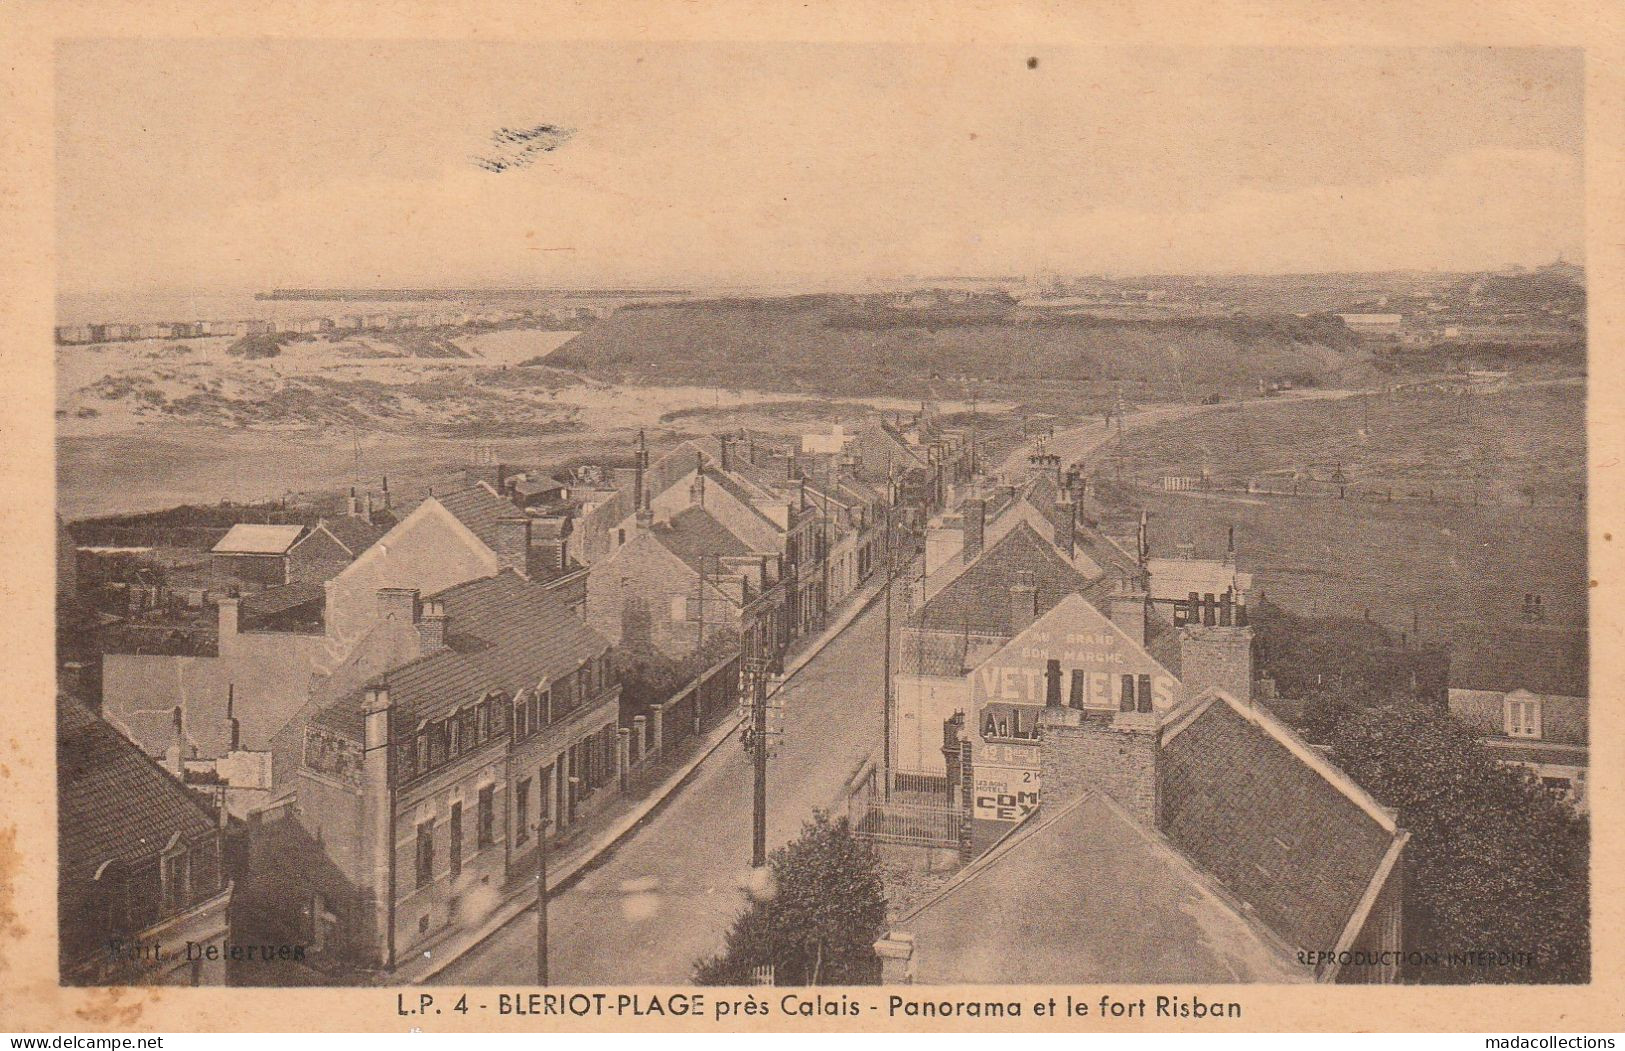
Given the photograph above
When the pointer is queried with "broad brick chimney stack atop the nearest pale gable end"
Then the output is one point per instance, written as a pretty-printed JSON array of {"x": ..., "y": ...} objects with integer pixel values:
[{"x": 1117, "y": 755}]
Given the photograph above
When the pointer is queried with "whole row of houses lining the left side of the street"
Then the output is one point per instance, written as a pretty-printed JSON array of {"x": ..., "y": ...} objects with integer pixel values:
[{"x": 402, "y": 704}]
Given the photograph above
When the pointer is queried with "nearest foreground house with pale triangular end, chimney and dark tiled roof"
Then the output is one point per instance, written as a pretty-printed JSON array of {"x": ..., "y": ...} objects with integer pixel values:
[{"x": 1200, "y": 846}]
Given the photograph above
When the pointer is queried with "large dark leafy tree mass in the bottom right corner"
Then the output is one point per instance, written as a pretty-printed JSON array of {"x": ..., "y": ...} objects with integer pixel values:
[{"x": 1496, "y": 862}]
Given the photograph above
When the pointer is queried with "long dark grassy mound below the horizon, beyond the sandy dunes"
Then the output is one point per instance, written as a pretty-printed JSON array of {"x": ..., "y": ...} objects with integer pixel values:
[{"x": 844, "y": 347}]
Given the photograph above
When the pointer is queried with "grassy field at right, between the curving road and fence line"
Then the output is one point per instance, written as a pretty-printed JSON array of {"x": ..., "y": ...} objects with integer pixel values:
[{"x": 1506, "y": 448}]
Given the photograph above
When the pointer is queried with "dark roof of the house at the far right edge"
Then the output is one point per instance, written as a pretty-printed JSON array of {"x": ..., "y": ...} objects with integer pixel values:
[{"x": 1543, "y": 659}]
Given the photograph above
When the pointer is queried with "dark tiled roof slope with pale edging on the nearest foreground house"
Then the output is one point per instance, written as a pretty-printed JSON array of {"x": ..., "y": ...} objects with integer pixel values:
[{"x": 1278, "y": 833}]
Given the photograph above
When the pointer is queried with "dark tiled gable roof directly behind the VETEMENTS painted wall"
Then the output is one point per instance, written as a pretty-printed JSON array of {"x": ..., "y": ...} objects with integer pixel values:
[{"x": 979, "y": 600}]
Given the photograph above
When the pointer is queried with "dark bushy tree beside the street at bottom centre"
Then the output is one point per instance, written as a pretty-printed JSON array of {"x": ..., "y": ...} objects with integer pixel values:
[{"x": 818, "y": 922}]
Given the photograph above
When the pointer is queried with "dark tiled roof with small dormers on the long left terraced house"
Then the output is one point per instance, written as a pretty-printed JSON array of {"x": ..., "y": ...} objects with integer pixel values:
[{"x": 503, "y": 634}]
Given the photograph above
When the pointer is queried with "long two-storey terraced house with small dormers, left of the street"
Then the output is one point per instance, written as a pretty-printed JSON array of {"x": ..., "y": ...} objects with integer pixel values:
[{"x": 427, "y": 787}]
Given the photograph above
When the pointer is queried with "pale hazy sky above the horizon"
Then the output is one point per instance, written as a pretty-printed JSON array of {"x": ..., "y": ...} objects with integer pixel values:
[{"x": 254, "y": 165}]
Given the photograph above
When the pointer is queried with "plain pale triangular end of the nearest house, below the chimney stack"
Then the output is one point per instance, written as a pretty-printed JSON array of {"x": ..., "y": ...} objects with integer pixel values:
[{"x": 1083, "y": 894}]
